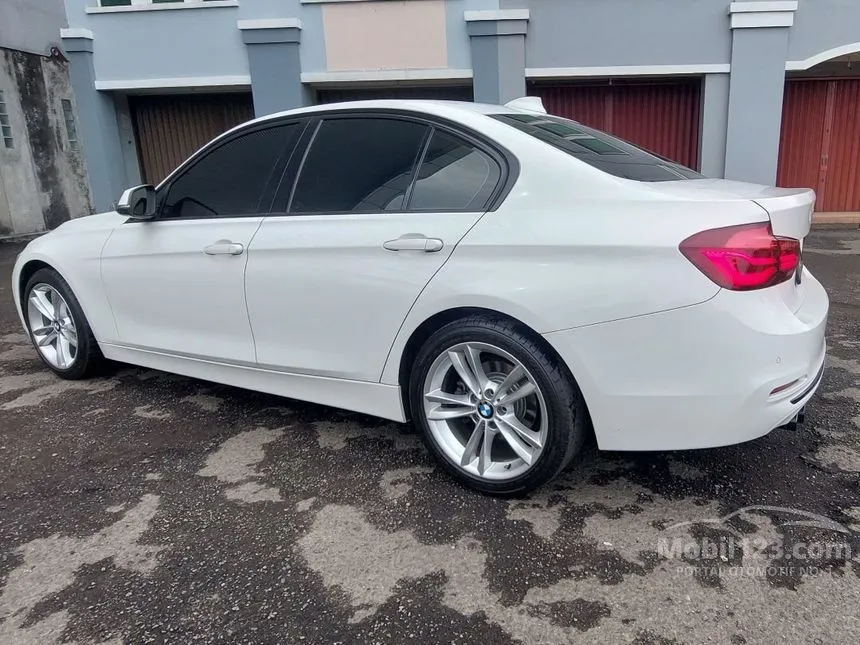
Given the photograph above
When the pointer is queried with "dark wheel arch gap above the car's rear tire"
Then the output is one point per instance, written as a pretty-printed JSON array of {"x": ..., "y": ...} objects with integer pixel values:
[{"x": 438, "y": 320}]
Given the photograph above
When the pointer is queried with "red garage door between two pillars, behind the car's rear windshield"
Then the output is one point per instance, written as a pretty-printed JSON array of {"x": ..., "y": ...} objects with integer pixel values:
[{"x": 662, "y": 117}]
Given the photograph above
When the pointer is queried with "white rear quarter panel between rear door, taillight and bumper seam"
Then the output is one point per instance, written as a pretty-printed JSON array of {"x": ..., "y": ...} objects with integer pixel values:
[{"x": 571, "y": 247}]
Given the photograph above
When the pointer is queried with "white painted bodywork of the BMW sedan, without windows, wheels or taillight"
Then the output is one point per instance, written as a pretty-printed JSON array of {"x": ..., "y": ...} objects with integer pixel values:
[{"x": 316, "y": 309}]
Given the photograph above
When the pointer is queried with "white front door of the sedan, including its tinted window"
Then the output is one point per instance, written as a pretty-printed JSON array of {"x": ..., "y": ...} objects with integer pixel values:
[{"x": 176, "y": 284}]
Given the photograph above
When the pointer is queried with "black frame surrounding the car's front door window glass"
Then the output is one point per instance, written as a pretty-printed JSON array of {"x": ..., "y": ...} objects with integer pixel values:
[{"x": 267, "y": 196}]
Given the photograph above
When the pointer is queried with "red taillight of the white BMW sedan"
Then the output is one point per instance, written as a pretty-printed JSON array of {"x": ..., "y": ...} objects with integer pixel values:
[{"x": 743, "y": 257}]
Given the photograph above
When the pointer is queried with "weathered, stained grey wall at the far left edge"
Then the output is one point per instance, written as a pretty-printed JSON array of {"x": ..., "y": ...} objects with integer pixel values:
[{"x": 43, "y": 179}]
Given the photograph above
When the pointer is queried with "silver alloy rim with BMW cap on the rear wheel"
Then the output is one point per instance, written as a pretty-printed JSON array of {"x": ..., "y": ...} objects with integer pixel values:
[{"x": 485, "y": 411}]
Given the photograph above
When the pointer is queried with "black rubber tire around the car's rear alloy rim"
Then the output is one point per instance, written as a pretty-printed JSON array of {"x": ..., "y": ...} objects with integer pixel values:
[{"x": 566, "y": 410}]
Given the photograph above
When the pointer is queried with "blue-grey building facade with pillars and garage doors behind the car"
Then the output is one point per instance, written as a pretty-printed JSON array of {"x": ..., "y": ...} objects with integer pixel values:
[{"x": 764, "y": 90}]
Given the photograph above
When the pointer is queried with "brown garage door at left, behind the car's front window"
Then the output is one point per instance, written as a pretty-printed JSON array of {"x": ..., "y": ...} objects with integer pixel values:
[{"x": 170, "y": 128}]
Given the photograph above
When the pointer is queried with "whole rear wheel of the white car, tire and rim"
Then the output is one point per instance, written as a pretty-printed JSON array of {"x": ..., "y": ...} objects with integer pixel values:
[{"x": 494, "y": 406}]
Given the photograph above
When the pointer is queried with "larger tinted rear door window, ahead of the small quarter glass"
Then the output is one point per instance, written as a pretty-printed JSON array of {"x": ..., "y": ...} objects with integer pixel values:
[{"x": 359, "y": 165}]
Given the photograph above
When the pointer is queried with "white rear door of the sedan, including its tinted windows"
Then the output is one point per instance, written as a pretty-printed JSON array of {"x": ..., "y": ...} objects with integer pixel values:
[{"x": 373, "y": 210}]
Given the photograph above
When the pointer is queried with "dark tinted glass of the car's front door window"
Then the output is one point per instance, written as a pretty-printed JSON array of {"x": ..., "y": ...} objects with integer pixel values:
[{"x": 229, "y": 181}]
